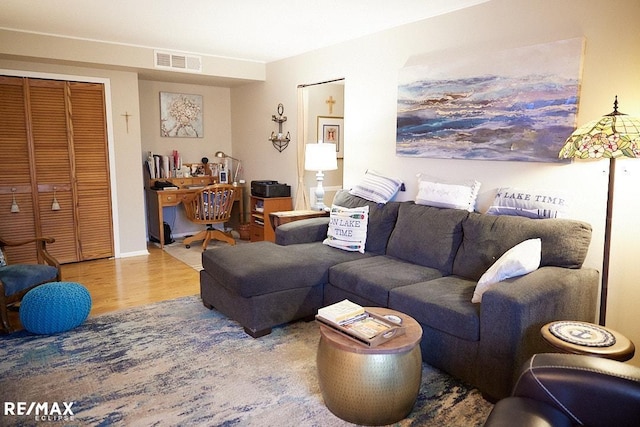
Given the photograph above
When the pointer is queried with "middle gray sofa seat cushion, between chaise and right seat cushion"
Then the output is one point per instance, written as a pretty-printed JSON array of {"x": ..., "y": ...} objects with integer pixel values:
[{"x": 373, "y": 277}]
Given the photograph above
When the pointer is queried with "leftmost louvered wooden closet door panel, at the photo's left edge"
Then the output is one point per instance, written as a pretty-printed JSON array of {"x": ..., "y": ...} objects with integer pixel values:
[{"x": 15, "y": 173}]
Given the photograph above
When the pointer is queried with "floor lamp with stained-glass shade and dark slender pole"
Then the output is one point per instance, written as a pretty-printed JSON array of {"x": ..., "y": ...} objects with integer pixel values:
[{"x": 612, "y": 136}]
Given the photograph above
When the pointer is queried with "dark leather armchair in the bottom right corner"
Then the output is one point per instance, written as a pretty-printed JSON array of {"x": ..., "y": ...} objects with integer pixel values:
[{"x": 571, "y": 390}]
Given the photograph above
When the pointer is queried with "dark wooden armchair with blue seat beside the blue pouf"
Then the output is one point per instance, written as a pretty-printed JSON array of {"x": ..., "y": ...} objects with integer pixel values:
[{"x": 18, "y": 279}]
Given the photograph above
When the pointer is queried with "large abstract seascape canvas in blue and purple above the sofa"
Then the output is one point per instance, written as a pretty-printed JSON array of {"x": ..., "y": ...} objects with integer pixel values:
[{"x": 517, "y": 104}]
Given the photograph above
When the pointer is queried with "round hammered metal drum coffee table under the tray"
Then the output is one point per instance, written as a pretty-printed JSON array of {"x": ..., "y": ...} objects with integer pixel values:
[{"x": 371, "y": 385}]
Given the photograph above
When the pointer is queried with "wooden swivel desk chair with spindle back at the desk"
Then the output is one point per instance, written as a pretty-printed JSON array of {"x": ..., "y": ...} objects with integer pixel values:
[{"x": 210, "y": 205}]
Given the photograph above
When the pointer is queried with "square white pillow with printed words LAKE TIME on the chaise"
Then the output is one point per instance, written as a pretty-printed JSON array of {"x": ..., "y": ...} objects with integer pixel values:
[{"x": 348, "y": 228}]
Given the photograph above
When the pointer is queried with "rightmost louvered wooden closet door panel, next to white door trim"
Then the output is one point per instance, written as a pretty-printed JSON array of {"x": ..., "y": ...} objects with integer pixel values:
[{"x": 94, "y": 220}]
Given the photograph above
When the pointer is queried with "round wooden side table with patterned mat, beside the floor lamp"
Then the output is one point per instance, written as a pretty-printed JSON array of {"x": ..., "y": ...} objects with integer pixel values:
[{"x": 588, "y": 339}]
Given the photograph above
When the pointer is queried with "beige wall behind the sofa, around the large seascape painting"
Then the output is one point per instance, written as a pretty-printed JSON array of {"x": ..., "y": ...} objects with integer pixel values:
[{"x": 370, "y": 67}]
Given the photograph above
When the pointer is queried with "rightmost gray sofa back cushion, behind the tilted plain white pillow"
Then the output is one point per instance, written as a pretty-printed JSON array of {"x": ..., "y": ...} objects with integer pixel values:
[{"x": 487, "y": 237}]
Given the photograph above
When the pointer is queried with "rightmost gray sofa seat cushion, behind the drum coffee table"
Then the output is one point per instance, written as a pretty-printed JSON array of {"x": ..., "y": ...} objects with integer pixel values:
[{"x": 443, "y": 304}]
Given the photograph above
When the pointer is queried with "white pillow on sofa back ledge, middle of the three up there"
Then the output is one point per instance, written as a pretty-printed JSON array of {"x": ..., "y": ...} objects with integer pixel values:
[{"x": 442, "y": 194}]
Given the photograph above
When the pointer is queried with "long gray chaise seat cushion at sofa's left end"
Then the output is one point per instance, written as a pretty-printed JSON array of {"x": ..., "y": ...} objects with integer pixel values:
[{"x": 263, "y": 267}]
